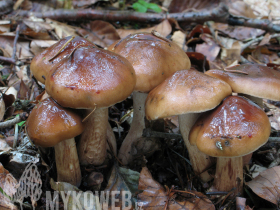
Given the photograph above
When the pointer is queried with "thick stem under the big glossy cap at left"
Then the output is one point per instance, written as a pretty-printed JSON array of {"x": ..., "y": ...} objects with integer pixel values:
[{"x": 92, "y": 145}]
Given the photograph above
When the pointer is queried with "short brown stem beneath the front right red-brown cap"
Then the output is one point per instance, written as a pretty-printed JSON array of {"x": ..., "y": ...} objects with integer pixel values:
[{"x": 229, "y": 174}]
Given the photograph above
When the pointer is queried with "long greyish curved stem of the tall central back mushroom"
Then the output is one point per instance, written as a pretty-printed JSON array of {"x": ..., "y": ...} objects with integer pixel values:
[{"x": 136, "y": 128}]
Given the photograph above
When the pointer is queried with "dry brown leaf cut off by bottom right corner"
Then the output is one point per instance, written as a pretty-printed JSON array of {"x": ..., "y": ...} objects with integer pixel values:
[{"x": 267, "y": 185}]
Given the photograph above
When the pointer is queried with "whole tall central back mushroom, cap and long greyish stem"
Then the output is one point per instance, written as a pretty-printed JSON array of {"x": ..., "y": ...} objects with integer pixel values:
[{"x": 154, "y": 58}]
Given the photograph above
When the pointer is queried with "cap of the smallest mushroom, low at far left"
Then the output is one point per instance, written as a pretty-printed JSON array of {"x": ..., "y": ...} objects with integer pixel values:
[{"x": 48, "y": 124}]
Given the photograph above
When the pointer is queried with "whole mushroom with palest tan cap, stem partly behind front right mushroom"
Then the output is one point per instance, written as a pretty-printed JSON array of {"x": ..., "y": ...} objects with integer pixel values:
[{"x": 187, "y": 93}]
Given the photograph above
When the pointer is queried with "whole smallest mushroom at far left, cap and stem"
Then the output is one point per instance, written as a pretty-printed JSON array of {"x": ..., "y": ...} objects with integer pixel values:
[{"x": 51, "y": 125}]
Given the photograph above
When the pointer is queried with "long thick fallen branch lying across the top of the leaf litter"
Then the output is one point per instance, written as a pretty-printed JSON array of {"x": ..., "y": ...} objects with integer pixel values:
[{"x": 219, "y": 14}]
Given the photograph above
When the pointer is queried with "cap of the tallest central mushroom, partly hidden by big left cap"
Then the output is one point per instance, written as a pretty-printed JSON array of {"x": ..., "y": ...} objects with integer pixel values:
[{"x": 153, "y": 58}]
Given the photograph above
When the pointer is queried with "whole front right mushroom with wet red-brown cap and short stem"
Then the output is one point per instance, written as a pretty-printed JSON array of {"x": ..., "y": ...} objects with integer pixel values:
[{"x": 235, "y": 128}]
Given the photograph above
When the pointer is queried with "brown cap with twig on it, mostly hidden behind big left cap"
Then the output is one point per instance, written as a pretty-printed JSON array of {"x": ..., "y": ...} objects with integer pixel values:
[{"x": 41, "y": 65}]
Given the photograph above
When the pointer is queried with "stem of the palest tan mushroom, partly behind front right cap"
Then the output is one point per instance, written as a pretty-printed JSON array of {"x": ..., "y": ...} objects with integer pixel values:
[{"x": 200, "y": 161}]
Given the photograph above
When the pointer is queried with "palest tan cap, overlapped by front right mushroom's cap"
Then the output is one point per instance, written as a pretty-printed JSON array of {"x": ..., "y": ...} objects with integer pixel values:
[{"x": 186, "y": 91}]
